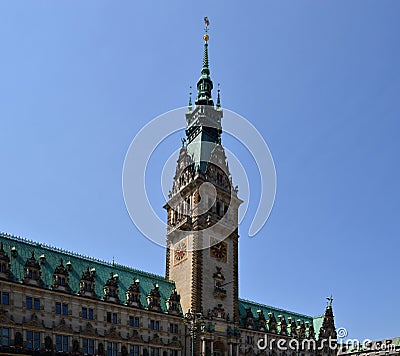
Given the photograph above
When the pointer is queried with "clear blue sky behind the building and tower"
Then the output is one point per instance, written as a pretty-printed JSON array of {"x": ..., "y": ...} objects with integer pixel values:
[{"x": 320, "y": 80}]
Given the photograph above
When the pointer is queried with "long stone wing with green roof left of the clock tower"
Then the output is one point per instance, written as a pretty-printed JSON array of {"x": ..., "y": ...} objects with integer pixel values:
[{"x": 43, "y": 319}]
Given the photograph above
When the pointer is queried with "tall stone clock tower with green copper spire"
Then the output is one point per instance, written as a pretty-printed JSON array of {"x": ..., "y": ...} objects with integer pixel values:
[{"x": 202, "y": 234}]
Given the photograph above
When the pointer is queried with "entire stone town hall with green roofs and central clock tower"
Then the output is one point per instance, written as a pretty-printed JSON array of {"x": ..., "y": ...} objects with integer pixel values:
[{"x": 54, "y": 301}]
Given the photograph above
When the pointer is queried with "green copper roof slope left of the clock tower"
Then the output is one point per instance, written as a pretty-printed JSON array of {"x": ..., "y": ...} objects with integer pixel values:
[{"x": 126, "y": 275}]
